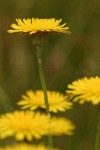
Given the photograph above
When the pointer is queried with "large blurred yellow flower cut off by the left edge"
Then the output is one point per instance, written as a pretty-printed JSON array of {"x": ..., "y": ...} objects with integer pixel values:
[{"x": 24, "y": 124}]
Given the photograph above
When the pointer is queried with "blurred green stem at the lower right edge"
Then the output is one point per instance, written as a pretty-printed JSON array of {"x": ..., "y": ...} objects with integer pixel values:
[{"x": 97, "y": 143}]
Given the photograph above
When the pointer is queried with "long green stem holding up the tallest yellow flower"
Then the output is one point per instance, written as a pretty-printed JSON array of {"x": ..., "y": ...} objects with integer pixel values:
[{"x": 39, "y": 57}]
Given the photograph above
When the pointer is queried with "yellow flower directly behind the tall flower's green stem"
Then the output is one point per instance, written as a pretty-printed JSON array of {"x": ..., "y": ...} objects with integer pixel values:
[{"x": 33, "y": 100}]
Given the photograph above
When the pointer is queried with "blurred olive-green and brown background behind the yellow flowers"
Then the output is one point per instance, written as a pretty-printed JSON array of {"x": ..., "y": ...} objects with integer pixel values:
[{"x": 65, "y": 59}]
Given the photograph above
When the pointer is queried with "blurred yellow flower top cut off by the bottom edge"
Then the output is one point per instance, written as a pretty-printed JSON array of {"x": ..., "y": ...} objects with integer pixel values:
[{"x": 24, "y": 146}]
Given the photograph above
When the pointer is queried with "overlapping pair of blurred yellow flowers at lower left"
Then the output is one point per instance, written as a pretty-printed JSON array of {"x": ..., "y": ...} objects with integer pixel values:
[{"x": 28, "y": 125}]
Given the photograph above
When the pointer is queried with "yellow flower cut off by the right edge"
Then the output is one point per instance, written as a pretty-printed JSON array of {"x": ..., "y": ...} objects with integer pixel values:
[{"x": 85, "y": 90}]
